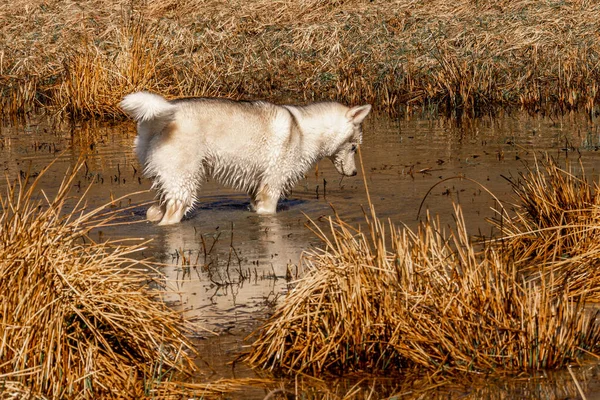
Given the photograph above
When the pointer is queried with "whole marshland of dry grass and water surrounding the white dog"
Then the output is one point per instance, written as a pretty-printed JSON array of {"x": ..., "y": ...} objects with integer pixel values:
[{"x": 461, "y": 262}]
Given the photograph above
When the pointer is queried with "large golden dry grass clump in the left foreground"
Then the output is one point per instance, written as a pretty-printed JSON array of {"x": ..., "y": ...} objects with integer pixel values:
[{"x": 81, "y": 319}]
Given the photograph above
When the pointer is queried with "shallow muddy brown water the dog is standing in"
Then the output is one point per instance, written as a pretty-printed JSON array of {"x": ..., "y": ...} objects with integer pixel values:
[{"x": 227, "y": 267}]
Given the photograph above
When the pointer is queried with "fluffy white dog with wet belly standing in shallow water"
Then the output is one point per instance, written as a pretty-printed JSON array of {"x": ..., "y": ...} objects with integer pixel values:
[{"x": 258, "y": 147}]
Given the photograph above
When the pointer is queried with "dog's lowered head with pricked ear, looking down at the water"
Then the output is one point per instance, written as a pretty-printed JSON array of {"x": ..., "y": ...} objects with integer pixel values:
[{"x": 343, "y": 157}]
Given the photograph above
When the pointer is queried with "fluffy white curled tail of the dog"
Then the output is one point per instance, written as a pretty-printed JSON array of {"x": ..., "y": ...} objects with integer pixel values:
[{"x": 145, "y": 106}]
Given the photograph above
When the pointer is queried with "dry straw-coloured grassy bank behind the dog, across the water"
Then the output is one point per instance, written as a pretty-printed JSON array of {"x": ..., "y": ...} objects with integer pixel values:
[{"x": 459, "y": 57}]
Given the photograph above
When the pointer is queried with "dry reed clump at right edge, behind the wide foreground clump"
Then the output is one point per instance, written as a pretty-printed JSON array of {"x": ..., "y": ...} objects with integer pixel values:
[{"x": 555, "y": 230}]
